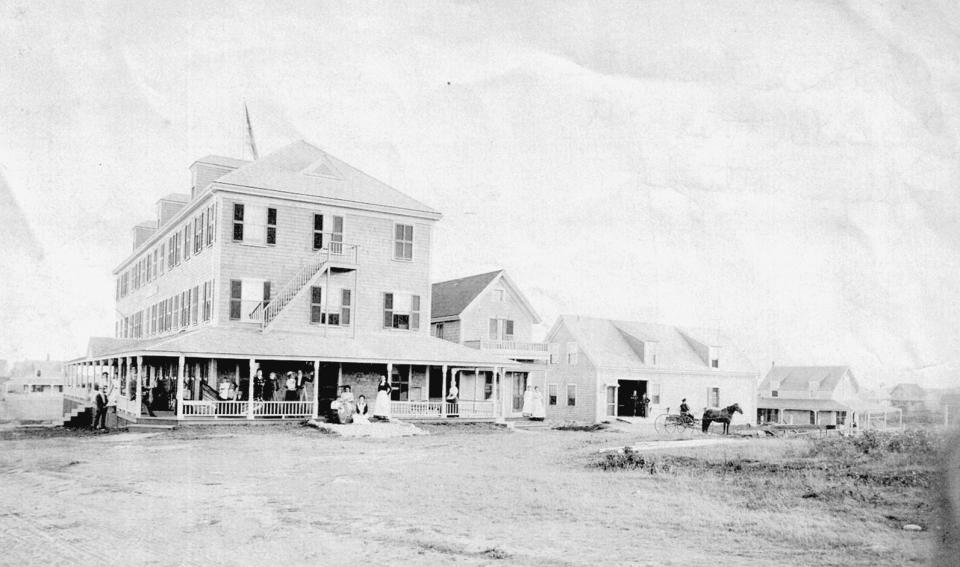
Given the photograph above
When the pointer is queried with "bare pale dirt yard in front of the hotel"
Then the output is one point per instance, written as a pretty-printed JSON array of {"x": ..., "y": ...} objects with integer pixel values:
[{"x": 290, "y": 495}]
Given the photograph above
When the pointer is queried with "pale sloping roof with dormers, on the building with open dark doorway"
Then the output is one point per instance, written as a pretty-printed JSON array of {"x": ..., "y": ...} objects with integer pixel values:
[{"x": 615, "y": 344}]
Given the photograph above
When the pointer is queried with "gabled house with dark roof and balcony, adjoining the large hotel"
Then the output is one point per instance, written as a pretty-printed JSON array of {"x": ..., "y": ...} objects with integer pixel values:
[{"x": 488, "y": 312}]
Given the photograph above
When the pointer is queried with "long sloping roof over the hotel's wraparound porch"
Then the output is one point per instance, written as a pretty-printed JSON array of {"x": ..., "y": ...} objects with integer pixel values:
[{"x": 219, "y": 342}]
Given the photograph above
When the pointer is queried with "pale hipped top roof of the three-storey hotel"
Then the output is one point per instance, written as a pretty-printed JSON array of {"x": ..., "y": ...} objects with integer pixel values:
[{"x": 294, "y": 169}]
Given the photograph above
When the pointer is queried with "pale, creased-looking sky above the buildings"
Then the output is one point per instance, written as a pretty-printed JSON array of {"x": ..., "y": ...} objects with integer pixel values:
[{"x": 786, "y": 171}]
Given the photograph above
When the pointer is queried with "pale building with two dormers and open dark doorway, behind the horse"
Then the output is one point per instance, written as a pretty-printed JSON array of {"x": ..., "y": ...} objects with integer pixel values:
[{"x": 599, "y": 367}]
